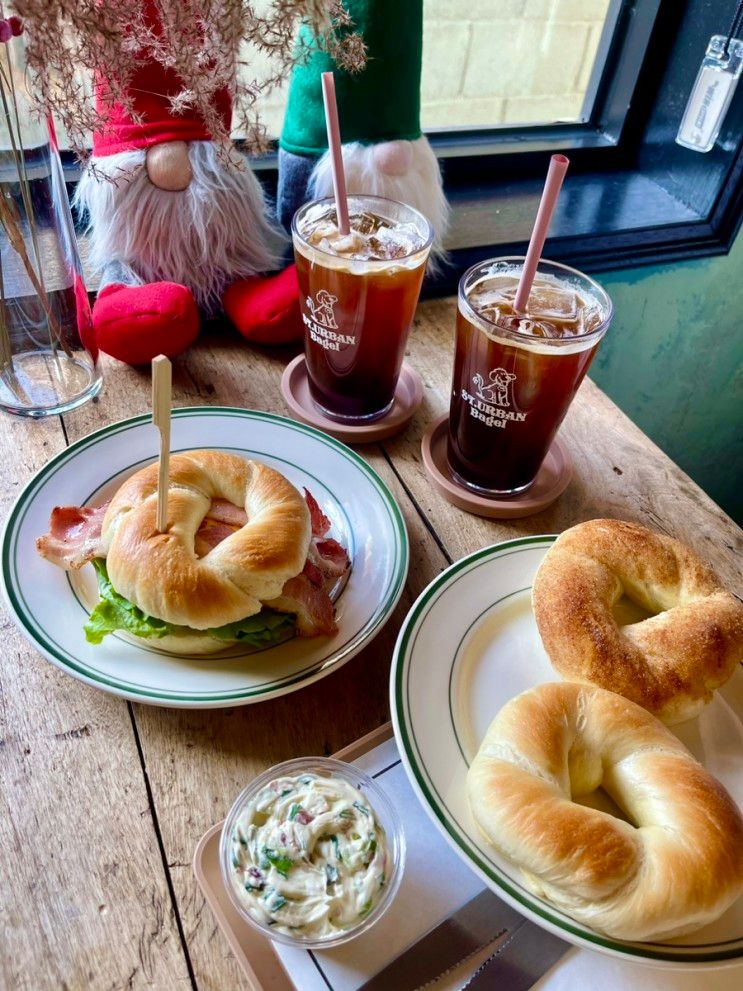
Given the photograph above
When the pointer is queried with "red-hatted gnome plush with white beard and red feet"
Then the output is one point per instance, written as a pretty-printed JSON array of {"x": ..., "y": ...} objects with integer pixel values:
[{"x": 175, "y": 230}]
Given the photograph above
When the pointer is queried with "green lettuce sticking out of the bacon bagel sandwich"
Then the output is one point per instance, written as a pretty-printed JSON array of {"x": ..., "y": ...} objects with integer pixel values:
[{"x": 114, "y": 612}]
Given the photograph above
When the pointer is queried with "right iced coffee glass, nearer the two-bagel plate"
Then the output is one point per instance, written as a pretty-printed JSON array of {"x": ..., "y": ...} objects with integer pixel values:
[{"x": 515, "y": 374}]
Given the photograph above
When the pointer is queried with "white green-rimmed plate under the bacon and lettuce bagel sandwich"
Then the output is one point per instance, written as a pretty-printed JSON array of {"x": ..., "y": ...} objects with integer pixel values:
[{"x": 49, "y": 604}]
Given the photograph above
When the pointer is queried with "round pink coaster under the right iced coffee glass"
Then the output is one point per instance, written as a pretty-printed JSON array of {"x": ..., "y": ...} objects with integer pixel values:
[{"x": 552, "y": 480}]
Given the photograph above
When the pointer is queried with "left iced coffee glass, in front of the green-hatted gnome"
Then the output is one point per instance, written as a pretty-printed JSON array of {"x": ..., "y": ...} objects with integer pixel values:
[{"x": 358, "y": 294}]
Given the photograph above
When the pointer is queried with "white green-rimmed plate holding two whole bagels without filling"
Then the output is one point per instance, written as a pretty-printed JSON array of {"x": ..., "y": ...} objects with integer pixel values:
[{"x": 468, "y": 645}]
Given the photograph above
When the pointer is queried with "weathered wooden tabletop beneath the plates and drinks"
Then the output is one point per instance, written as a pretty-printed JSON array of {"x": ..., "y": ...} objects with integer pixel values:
[{"x": 103, "y": 800}]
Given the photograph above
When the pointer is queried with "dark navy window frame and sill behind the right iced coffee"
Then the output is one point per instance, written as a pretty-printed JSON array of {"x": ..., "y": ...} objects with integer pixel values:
[{"x": 691, "y": 204}]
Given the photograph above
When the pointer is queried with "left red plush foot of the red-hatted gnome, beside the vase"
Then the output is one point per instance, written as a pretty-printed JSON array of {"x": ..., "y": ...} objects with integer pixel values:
[{"x": 136, "y": 323}]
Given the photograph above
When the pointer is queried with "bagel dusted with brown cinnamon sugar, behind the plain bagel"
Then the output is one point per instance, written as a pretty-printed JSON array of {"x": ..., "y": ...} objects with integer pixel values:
[{"x": 669, "y": 663}]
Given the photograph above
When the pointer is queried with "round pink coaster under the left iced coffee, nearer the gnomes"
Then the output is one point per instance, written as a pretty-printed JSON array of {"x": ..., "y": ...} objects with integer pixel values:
[{"x": 296, "y": 392}]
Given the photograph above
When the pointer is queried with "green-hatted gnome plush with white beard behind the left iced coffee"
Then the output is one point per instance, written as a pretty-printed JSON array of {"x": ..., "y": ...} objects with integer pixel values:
[{"x": 384, "y": 150}]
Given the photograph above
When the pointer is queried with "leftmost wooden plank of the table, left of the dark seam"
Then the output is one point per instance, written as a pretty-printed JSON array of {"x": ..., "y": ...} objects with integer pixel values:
[{"x": 84, "y": 899}]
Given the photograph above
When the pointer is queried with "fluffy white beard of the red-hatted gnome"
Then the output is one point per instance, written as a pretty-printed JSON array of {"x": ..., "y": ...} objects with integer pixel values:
[{"x": 204, "y": 237}]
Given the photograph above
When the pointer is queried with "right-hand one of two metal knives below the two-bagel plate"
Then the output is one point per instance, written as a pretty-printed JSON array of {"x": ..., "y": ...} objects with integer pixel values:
[{"x": 526, "y": 954}]
